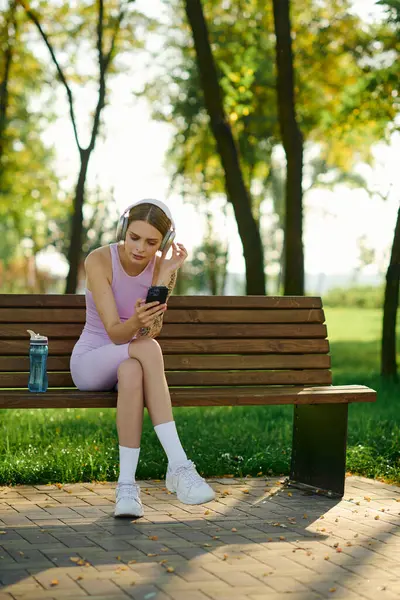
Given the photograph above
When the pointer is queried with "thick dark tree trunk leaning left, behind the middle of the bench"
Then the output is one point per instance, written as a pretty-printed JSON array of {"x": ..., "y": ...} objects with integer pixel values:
[{"x": 236, "y": 190}]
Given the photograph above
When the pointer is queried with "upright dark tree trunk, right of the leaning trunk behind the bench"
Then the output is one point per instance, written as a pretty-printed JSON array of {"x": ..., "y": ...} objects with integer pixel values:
[{"x": 292, "y": 140}]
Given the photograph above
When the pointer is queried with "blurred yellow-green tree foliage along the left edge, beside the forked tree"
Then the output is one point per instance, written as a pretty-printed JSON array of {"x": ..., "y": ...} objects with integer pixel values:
[{"x": 29, "y": 188}]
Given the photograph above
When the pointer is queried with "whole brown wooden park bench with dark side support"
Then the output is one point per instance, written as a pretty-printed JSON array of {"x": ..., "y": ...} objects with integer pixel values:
[{"x": 219, "y": 351}]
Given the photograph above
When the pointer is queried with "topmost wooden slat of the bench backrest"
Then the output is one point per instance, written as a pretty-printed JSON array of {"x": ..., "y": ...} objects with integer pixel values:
[{"x": 78, "y": 300}]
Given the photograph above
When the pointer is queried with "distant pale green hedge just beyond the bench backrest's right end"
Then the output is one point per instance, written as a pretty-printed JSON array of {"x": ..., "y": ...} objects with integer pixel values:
[{"x": 355, "y": 297}]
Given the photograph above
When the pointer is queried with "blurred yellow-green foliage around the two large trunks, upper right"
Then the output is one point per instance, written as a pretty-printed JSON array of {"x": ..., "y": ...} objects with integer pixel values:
[{"x": 338, "y": 108}]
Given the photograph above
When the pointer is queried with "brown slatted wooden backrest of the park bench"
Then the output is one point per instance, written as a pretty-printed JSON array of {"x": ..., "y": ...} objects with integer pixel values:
[{"x": 206, "y": 340}]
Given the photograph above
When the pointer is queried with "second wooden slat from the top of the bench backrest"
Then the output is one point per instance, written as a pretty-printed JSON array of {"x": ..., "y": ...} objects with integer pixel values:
[{"x": 173, "y": 315}]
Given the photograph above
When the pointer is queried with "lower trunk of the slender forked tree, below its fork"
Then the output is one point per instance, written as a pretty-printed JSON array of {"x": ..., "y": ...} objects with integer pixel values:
[{"x": 76, "y": 228}]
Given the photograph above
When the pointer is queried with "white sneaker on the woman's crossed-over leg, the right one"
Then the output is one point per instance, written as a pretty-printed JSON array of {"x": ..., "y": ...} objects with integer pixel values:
[{"x": 190, "y": 488}]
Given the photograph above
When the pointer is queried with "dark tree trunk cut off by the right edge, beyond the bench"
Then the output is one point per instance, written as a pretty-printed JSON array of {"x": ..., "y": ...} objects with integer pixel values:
[{"x": 391, "y": 303}]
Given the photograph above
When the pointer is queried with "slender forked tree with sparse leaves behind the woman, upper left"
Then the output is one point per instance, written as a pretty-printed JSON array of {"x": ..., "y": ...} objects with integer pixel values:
[{"x": 106, "y": 26}]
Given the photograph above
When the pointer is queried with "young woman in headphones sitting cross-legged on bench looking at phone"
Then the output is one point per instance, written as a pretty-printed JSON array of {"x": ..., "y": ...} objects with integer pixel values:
[{"x": 117, "y": 349}]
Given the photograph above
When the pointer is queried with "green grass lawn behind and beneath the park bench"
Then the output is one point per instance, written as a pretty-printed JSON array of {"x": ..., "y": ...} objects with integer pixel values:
[{"x": 70, "y": 445}]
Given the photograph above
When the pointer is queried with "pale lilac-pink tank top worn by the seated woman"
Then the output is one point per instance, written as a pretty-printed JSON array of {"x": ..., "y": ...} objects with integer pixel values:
[{"x": 126, "y": 288}]
